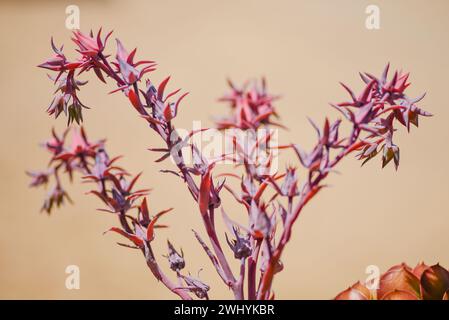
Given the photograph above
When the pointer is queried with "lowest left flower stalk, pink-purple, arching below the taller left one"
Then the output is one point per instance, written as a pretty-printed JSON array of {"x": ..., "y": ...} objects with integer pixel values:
[{"x": 92, "y": 162}]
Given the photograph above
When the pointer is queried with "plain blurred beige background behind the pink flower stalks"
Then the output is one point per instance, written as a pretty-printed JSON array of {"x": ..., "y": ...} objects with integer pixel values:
[{"x": 304, "y": 48}]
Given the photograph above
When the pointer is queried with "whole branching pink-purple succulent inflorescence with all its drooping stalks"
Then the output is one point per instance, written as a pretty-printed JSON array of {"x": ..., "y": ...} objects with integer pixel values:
[{"x": 258, "y": 245}]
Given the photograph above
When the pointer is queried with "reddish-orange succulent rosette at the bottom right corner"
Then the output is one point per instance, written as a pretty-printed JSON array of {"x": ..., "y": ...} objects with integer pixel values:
[{"x": 401, "y": 282}]
